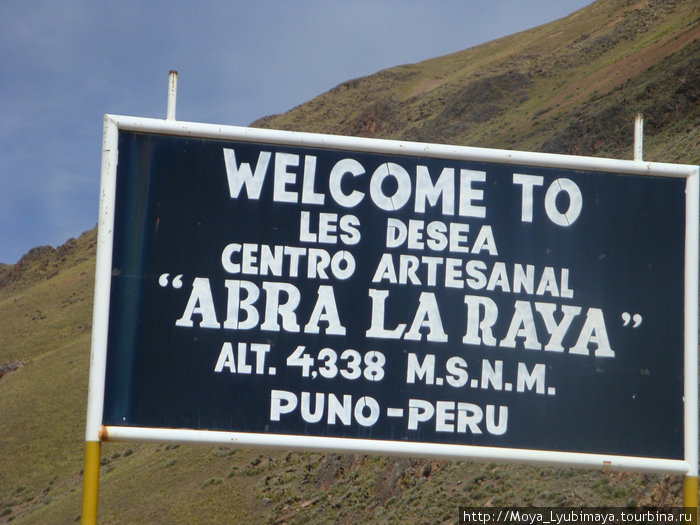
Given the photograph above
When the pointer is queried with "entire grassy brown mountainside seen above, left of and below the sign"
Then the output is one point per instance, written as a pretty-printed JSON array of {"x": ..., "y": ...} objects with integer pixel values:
[{"x": 571, "y": 86}]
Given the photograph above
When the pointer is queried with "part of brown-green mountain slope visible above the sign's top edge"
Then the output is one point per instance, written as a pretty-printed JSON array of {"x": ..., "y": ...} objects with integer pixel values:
[{"x": 572, "y": 86}]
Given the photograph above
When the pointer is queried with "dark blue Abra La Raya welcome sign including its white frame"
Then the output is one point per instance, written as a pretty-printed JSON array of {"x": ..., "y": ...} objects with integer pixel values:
[{"x": 352, "y": 294}]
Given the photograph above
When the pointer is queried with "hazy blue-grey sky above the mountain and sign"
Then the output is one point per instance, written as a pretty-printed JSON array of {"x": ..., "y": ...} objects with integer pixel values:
[{"x": 64, "y": 64}]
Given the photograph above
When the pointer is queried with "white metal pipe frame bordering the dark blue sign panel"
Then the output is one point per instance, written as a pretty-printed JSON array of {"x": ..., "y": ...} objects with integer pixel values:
[{"x": 95, "y": 431}]
